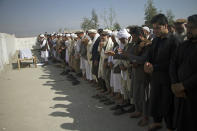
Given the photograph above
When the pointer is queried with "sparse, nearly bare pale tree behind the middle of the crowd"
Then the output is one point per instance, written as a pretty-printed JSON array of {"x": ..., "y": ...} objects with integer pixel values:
[{"x": 108, "y": 18}]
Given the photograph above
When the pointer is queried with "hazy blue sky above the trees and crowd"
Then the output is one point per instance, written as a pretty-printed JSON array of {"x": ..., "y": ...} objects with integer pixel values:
[{"x": 31, "y": 17}]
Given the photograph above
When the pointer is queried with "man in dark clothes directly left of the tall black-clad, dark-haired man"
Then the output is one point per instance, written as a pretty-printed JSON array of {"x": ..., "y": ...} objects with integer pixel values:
[{"x": 141, "y": 89}]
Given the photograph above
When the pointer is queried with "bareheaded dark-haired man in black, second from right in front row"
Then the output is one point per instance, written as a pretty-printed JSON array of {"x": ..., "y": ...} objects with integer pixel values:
[{"x": 161, "y": 96}]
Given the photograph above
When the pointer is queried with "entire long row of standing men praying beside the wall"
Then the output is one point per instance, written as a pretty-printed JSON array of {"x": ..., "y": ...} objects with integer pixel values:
[{"x": 147, "y": 73}]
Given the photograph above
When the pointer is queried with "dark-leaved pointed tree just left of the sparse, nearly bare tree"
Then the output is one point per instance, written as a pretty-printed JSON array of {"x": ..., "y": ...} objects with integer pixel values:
[{"x": 90, "y": 23}]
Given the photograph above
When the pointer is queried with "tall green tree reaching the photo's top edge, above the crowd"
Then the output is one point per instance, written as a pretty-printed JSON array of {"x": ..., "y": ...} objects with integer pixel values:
[{"x": 150, "y": 11}]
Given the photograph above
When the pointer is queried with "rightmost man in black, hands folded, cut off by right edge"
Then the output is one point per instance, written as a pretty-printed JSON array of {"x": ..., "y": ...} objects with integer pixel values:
[{"x": 183, "y": 74}]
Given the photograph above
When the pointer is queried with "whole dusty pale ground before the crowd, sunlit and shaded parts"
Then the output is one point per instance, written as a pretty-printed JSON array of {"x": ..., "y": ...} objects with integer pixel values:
[{"x": 39, "y": 99}]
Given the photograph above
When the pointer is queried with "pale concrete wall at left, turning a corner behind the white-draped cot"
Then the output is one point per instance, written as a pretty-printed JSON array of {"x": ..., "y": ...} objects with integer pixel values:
[{"x": 9, "y": 44}]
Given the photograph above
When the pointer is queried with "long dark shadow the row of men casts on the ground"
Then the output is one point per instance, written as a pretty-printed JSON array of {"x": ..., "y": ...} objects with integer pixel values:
[{"x": 80, "y": 110}]
